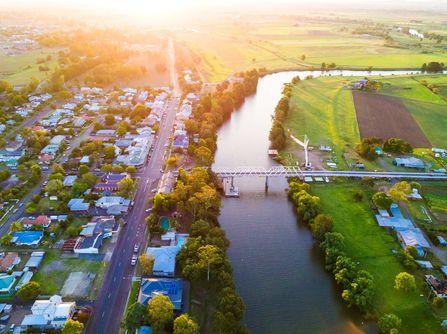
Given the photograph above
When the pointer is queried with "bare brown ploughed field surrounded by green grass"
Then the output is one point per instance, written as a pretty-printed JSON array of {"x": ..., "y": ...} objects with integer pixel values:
[{"x": 386, "y": 117}]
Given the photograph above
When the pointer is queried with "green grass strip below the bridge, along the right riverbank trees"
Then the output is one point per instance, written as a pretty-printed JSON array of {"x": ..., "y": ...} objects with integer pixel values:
[{"x": 371, "y": 246}]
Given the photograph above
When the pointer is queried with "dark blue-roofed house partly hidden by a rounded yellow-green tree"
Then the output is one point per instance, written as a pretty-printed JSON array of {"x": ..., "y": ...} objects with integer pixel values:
[{"x": 170, "y": 287}]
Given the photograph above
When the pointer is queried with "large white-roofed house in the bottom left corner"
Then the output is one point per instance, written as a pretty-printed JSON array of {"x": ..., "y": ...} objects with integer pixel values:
[{"x": 49, "y": 314}]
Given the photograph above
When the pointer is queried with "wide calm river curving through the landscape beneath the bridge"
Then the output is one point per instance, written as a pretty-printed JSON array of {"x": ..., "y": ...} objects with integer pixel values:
[{"x": 277, "y": 267}]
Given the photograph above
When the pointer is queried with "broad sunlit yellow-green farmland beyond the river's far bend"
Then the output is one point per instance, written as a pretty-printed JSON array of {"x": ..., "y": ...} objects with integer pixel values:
[{"x": 230, "y": 44}]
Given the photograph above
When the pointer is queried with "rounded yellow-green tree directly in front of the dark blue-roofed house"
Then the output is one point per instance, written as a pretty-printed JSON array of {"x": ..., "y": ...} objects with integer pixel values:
[{"x": 161, "y": 312}]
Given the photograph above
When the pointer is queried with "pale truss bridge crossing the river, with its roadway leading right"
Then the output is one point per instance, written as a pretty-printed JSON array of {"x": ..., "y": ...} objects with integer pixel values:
[{"x": 295, "y": 171}]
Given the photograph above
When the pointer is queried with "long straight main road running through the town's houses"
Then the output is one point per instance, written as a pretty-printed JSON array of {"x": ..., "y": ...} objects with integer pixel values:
[{"x": 111, "y": 302}]
